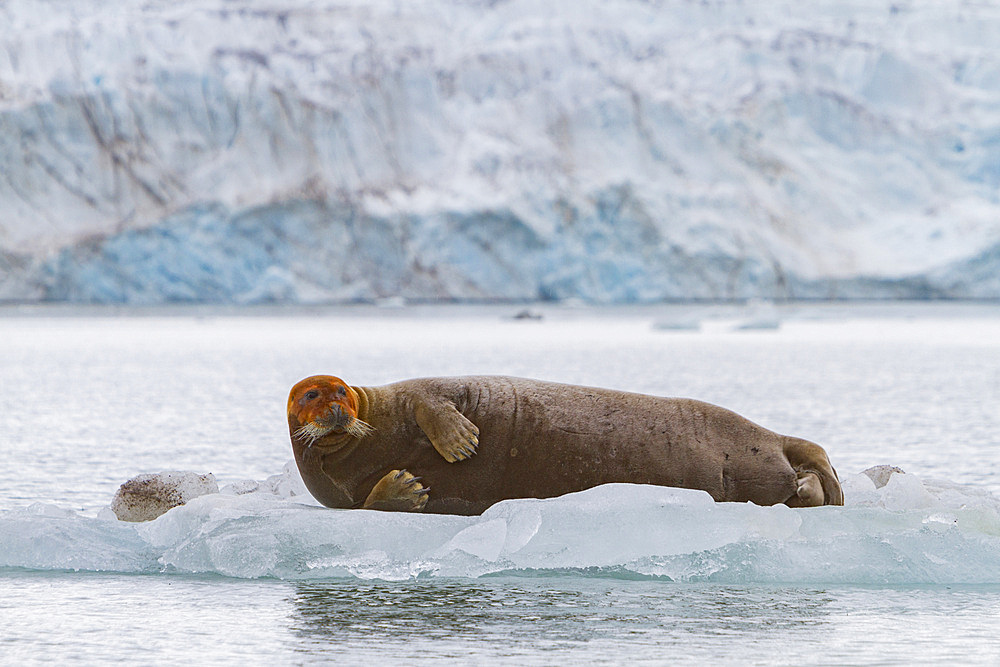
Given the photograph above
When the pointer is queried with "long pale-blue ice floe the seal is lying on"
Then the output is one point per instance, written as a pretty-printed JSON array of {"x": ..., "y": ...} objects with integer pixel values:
[{"x": 914, "y": 531}]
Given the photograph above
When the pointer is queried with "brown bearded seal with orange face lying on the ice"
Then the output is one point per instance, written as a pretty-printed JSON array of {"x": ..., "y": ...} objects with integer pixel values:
[{"x": 457, "y": 445}]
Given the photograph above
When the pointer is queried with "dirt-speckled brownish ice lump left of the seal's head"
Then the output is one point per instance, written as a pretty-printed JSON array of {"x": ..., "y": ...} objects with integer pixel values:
[{"x": 145, "y": 497}]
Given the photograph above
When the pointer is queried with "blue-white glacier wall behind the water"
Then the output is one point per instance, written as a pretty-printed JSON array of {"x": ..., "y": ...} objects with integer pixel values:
[{"x": 246, "y": 151}]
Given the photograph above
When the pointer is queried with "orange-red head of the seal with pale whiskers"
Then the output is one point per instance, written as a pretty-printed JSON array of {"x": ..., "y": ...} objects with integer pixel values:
[{"x": 321, "y": 406}]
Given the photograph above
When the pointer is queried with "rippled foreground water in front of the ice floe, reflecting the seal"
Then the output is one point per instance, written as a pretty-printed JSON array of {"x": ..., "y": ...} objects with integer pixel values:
[{"x": 87, "y": 618}]
